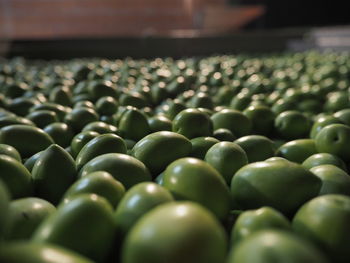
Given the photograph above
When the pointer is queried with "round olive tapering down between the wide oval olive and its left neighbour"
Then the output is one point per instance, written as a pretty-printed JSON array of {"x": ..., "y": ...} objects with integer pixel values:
[{"x": 226, "y": 158}]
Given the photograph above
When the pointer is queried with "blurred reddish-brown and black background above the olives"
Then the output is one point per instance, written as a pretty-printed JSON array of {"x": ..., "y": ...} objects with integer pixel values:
[{"x": 148, "y": 28}]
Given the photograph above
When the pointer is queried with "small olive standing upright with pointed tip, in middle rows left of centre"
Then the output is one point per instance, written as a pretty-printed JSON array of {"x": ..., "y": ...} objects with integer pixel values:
[{"x": 133, "y": 124}]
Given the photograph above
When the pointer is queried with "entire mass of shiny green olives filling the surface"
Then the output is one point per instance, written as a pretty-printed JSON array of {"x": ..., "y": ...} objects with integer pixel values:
[{"x": 221, "y": 159}]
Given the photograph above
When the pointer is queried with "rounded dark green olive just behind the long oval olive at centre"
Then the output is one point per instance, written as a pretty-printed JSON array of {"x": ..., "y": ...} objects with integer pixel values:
[{"x": 193, "y": 123}]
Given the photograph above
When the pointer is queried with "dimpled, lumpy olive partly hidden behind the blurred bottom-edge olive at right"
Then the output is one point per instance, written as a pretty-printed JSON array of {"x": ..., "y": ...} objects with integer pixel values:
[{"x": 251, "y": 221}]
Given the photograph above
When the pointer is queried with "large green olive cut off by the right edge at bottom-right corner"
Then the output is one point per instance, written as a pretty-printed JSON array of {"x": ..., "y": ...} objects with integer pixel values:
[{"x": 325, "y": 221}]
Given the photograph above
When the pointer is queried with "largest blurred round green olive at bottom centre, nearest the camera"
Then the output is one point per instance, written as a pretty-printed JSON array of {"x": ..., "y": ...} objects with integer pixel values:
[{"x": 176, "y": 232}]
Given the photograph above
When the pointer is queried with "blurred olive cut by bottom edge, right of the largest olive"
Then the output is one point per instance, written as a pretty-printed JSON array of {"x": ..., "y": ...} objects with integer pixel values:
[{"x": 275, "y": 246}]
